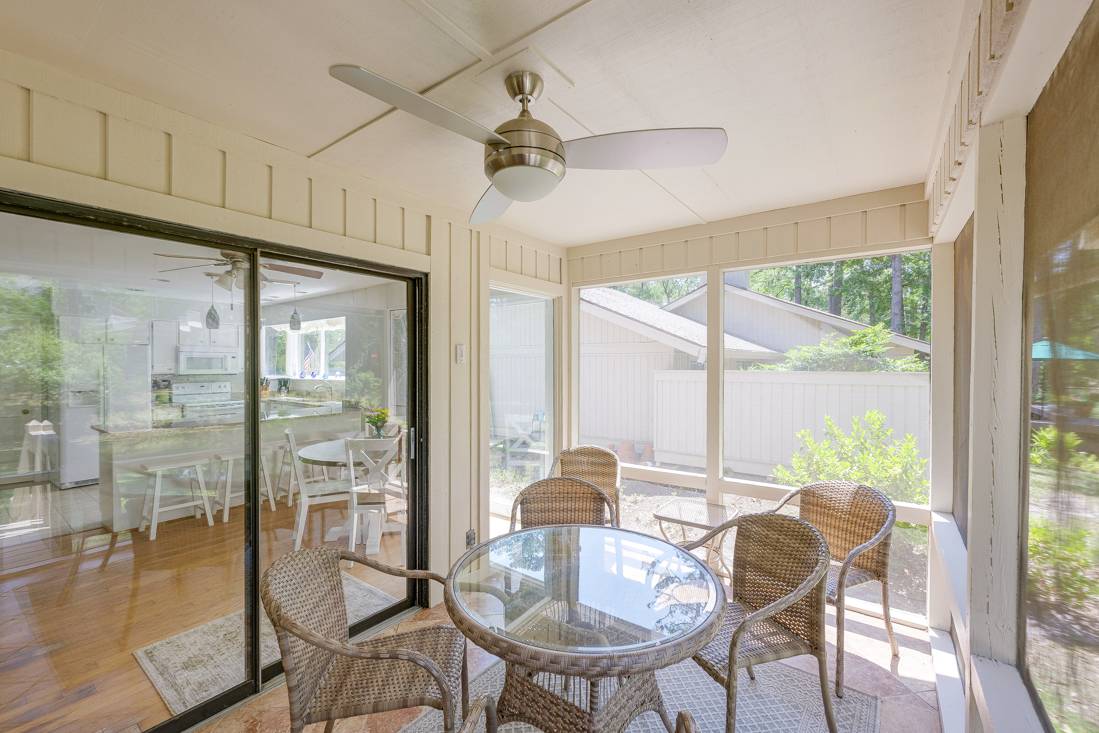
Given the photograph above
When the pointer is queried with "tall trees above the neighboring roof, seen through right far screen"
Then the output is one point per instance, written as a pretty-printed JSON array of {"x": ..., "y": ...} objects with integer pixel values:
[{"x": 865, "y": 290}]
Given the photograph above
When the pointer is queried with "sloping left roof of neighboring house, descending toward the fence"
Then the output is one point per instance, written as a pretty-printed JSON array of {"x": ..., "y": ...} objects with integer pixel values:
[{"x": 665, "y": 327}]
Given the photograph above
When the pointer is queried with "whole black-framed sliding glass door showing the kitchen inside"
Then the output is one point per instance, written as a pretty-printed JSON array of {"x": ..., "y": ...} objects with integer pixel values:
[{"x": 174, "y": 420}]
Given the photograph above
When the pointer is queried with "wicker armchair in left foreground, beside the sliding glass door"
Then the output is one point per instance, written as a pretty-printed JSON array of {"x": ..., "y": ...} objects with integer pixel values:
[{"x": 327, "y": 676}]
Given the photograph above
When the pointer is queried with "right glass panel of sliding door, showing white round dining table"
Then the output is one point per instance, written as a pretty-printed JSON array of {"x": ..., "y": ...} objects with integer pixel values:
[{"x": 335, "y": 366}]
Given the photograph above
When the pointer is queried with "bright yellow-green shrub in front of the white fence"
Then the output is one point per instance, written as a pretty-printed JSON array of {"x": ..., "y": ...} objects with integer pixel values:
[{"x": 868, "y": 454}]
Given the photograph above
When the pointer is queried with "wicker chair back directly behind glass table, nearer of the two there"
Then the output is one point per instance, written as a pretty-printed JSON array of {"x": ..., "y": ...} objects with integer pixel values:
[{"x": 562, "y": 502}]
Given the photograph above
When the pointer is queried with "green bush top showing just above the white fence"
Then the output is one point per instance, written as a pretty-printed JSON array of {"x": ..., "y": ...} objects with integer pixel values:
[{"x": 863, "y": 351}]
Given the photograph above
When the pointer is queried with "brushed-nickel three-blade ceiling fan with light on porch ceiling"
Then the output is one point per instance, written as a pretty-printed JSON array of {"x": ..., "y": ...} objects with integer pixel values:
[{"x": 526, "y": 159}]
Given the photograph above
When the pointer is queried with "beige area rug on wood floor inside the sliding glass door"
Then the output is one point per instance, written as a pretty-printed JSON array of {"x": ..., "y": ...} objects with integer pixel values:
[{"x": 199, "y": 663}]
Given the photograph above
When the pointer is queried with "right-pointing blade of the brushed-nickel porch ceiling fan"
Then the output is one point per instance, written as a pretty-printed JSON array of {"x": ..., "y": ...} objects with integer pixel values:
[{"x": 671, "y": 148}]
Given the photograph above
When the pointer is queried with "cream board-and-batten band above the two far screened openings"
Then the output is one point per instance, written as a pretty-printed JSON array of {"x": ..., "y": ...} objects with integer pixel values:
[{"x": 882, "y": 221}]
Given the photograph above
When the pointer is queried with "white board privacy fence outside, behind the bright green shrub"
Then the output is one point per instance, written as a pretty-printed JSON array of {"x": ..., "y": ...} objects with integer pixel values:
[{"x": 765, "y": 410}]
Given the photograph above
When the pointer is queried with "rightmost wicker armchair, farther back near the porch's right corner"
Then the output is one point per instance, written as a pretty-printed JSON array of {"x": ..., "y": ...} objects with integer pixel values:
[{"x": 858, "y": 524}]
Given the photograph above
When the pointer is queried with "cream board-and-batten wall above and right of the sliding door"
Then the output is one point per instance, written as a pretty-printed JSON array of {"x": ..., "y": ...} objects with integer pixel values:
[{"x": 70, "y": 139}]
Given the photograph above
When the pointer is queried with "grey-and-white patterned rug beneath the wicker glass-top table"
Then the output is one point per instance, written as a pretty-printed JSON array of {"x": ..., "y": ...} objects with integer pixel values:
[{"x": 783, "y": 698}]
